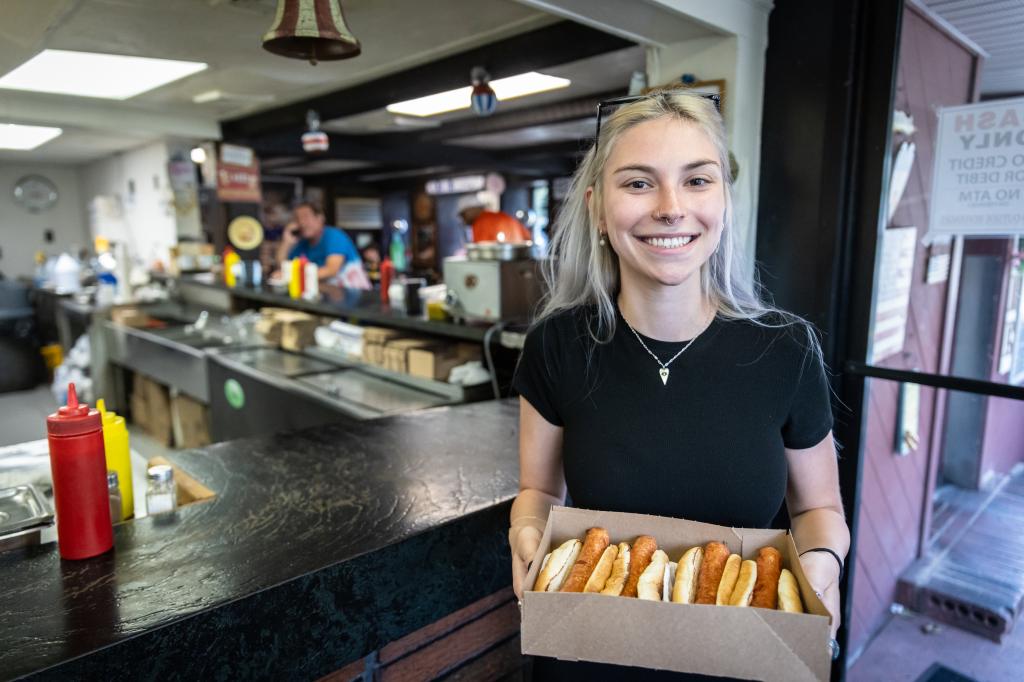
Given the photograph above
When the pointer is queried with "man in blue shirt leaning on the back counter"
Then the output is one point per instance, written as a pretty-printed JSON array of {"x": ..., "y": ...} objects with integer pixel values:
[{"x": 329, "y": 247}]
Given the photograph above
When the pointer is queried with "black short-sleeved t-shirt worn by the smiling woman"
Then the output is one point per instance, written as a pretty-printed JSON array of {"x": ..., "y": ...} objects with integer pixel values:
[{"x": 709, "y": 446}]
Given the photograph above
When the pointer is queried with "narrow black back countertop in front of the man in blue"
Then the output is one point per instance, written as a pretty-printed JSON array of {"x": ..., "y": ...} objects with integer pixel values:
[{"x": 352, "y": 304}]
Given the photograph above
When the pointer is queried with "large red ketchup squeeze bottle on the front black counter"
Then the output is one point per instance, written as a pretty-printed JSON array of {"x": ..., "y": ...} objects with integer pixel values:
[{"x": 79, "y": 468}]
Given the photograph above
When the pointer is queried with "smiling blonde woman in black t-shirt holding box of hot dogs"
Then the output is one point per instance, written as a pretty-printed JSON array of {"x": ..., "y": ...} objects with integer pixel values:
[{"x": 657, "y": 380}]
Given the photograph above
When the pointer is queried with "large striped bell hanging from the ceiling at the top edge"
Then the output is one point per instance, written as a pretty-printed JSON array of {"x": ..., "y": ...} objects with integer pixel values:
[{"x": 313, "y": 30}]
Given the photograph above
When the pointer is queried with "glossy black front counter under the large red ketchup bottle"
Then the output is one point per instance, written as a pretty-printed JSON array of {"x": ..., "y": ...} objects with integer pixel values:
[{"x": 320, "y": 547}]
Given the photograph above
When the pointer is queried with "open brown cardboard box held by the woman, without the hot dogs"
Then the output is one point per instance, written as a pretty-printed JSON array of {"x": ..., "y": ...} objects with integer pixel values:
[{"x": 729, "y": 642}]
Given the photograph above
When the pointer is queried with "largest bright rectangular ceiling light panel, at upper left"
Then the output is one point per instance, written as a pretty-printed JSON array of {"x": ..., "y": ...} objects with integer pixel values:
[{"x": 93, "y": 75}]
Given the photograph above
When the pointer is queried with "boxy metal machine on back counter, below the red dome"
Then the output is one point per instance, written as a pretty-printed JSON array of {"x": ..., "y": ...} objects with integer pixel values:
[{"x": 493, "y": 290}]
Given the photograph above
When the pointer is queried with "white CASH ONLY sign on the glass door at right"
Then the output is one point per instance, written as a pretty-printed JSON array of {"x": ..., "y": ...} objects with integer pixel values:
[{"x": 978, "y": 176}]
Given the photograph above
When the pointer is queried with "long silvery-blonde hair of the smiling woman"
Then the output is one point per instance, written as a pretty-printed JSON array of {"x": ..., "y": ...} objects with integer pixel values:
[{"x": 581, "y": 273}]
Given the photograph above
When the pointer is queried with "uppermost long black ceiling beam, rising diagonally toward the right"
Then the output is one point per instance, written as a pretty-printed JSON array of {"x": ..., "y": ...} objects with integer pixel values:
[{"x": 552, "y": 46}]
